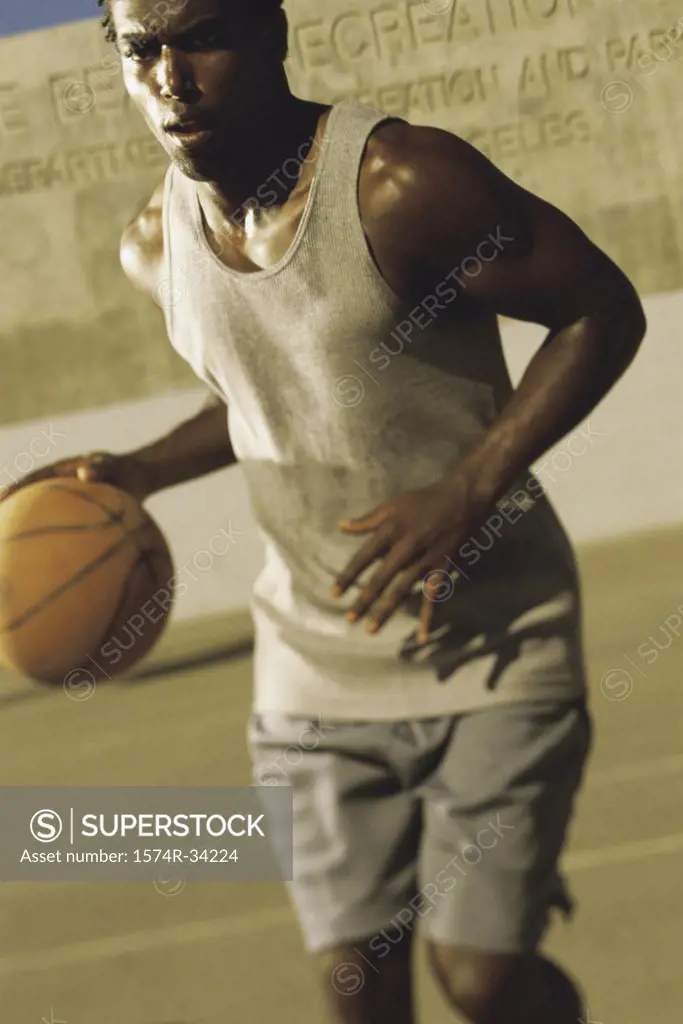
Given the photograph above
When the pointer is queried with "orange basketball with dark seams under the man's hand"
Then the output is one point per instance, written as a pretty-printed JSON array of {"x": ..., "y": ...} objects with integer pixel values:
[{"x": 86, "y": 582}]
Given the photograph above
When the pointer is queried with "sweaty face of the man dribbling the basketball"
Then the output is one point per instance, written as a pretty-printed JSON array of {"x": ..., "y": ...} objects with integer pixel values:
[{"x": 200, "y": 72}]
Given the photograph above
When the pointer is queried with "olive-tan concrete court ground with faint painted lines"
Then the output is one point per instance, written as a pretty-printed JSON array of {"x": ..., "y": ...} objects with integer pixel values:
[{"x": 125, "y": 954}]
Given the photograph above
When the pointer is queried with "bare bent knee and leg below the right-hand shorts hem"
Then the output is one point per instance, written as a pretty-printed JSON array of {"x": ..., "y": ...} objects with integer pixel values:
[{"x": 505, "y": 990}]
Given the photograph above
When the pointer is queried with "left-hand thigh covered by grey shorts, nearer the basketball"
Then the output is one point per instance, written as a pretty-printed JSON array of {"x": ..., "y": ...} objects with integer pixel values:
[{"x": 357, "y": 827}]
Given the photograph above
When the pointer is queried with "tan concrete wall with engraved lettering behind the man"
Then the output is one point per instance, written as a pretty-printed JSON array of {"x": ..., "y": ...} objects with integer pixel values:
[{"x": 578, "y": 100}]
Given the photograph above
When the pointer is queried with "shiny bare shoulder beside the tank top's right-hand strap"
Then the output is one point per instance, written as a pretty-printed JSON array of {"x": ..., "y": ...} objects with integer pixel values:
[{"x": 423, "y": 181}]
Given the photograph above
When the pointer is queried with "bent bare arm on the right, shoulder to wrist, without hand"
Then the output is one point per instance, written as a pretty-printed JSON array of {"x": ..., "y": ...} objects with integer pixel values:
[{"x": 447, "y": 203}]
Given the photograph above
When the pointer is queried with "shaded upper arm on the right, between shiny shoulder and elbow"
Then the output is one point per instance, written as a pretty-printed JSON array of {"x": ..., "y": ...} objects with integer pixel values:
[{"x": 516, "y": 253}]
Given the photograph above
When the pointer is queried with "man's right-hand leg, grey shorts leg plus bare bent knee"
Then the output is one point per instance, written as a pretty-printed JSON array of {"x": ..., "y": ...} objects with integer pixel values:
[{"x": 496, "y": 818}]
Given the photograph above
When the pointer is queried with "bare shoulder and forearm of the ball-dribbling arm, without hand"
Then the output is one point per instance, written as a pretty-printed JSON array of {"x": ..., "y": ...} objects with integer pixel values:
[{"x": 200, "y": 446}]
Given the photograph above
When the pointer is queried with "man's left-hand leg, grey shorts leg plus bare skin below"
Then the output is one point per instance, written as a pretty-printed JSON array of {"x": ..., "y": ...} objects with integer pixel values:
[{"x": 357, "y": 831}]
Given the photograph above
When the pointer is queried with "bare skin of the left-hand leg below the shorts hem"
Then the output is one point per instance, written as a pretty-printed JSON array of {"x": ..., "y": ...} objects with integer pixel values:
[{"x": 357, "y": 995}]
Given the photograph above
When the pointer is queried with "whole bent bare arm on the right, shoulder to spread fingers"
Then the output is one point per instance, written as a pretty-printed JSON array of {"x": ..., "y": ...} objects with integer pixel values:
[{"x": 432, "y": 202}]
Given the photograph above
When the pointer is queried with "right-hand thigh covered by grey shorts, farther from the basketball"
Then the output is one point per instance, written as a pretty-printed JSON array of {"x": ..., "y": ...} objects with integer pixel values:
[{"x": 496, "y": 818}]
